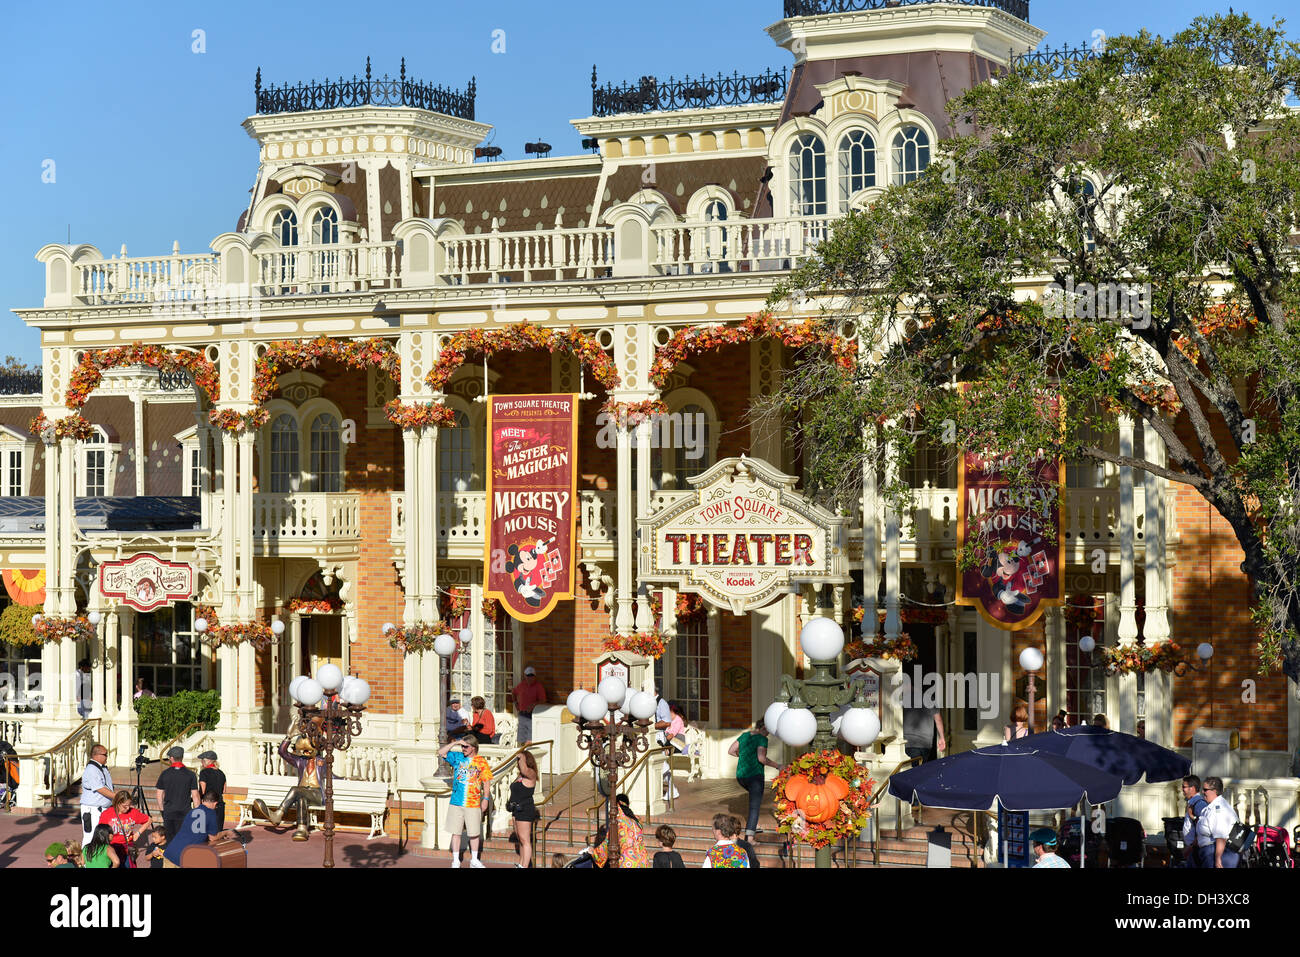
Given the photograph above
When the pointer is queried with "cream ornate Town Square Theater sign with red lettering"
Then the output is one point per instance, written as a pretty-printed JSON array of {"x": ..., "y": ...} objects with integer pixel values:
[{"x": 743, "y": 539}]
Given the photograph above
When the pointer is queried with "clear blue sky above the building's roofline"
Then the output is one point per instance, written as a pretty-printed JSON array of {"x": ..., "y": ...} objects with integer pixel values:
[{"x": 146, "y": 138}]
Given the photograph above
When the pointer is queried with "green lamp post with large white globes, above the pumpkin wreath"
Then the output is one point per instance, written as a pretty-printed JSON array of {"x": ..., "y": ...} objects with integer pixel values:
[{"x": 804, "y": 713}]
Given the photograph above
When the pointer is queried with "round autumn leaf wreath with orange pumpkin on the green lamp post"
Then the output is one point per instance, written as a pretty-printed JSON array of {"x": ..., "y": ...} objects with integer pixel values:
[{"x": 824, "y": 798}]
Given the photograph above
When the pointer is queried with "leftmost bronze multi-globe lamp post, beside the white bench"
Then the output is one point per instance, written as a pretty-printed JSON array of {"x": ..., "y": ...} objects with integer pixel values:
[{"x": 330, "y": 717}]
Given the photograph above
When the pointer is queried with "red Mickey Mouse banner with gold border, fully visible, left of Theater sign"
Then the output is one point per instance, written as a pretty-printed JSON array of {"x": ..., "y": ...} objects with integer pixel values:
[{"x": 532, "y": 499}]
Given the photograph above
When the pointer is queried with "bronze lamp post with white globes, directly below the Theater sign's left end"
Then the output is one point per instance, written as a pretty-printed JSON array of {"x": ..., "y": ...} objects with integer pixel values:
[{"x": 613, "y": 741}]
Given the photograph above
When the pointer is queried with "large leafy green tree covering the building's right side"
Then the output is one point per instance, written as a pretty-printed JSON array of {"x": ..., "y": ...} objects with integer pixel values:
[{"x": 1120, "y": 232}]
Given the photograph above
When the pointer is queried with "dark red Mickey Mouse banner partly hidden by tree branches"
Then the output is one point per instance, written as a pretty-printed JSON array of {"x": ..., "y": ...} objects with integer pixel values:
[{"x": 1021, "y": 562}]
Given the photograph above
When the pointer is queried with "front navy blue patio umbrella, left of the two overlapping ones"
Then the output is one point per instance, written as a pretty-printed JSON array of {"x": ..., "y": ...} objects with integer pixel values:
[{"x": 1019, "y": 780}]
